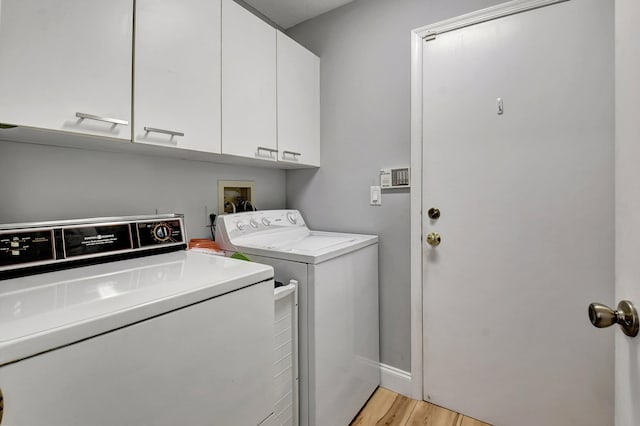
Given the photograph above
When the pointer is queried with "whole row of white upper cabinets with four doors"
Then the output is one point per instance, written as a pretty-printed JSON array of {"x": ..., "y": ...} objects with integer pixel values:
[{"x": 205, "y": 76}]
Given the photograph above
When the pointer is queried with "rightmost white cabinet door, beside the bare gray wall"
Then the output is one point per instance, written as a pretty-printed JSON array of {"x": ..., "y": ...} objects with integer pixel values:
[{"x": 298, "y": 103}]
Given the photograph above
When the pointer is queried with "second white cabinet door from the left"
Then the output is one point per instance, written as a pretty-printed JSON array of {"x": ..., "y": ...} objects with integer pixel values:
[{"x": 177, "y": 73}]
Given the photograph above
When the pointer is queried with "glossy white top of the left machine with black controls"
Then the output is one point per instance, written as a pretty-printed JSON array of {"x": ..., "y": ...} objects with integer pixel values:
[{"x": 43, "y": 312}]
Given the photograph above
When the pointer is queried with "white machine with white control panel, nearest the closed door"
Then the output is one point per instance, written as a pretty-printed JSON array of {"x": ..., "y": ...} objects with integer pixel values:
[{"x": 337, "y": 278}]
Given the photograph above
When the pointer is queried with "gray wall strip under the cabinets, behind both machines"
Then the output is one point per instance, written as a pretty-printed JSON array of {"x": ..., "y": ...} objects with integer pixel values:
[{"x": 40, "y": 182}]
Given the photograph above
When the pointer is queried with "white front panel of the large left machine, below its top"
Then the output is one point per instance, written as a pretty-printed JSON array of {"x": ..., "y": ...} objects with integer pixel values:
[{"x": 210, "y": 363}]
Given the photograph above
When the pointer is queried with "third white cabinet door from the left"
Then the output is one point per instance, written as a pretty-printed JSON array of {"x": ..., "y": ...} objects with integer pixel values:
[{"x": 248, "y": 84}]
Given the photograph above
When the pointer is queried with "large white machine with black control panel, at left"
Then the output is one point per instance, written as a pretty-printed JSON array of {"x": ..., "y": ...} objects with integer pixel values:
[{"x": 168, "y": 337}]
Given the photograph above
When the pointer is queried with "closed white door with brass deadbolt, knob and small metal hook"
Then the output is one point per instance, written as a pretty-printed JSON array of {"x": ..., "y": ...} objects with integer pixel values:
[{"x": 526, "y": 198}]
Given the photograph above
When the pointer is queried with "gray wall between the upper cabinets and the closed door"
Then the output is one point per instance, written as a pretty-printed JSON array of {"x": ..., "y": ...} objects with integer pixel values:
[{"x": 365, "y": 105}]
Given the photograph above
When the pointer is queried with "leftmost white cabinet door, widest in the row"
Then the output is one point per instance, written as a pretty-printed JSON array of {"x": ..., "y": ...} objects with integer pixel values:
[{"x": 61, "y": 60}]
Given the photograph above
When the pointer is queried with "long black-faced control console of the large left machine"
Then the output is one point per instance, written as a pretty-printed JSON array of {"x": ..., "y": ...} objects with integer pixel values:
[{"x": 41, "y": 247}]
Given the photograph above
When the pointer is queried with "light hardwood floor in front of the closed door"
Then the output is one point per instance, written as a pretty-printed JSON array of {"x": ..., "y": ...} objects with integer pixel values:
[{"x": 391, "y": 409}]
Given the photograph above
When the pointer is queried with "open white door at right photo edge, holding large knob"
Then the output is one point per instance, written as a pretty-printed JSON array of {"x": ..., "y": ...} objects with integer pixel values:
[{"x": 627, "y": 54}]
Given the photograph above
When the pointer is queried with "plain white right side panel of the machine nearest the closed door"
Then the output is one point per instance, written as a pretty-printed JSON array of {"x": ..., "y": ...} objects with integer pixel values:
[{"x": 345, "y": 349}]
